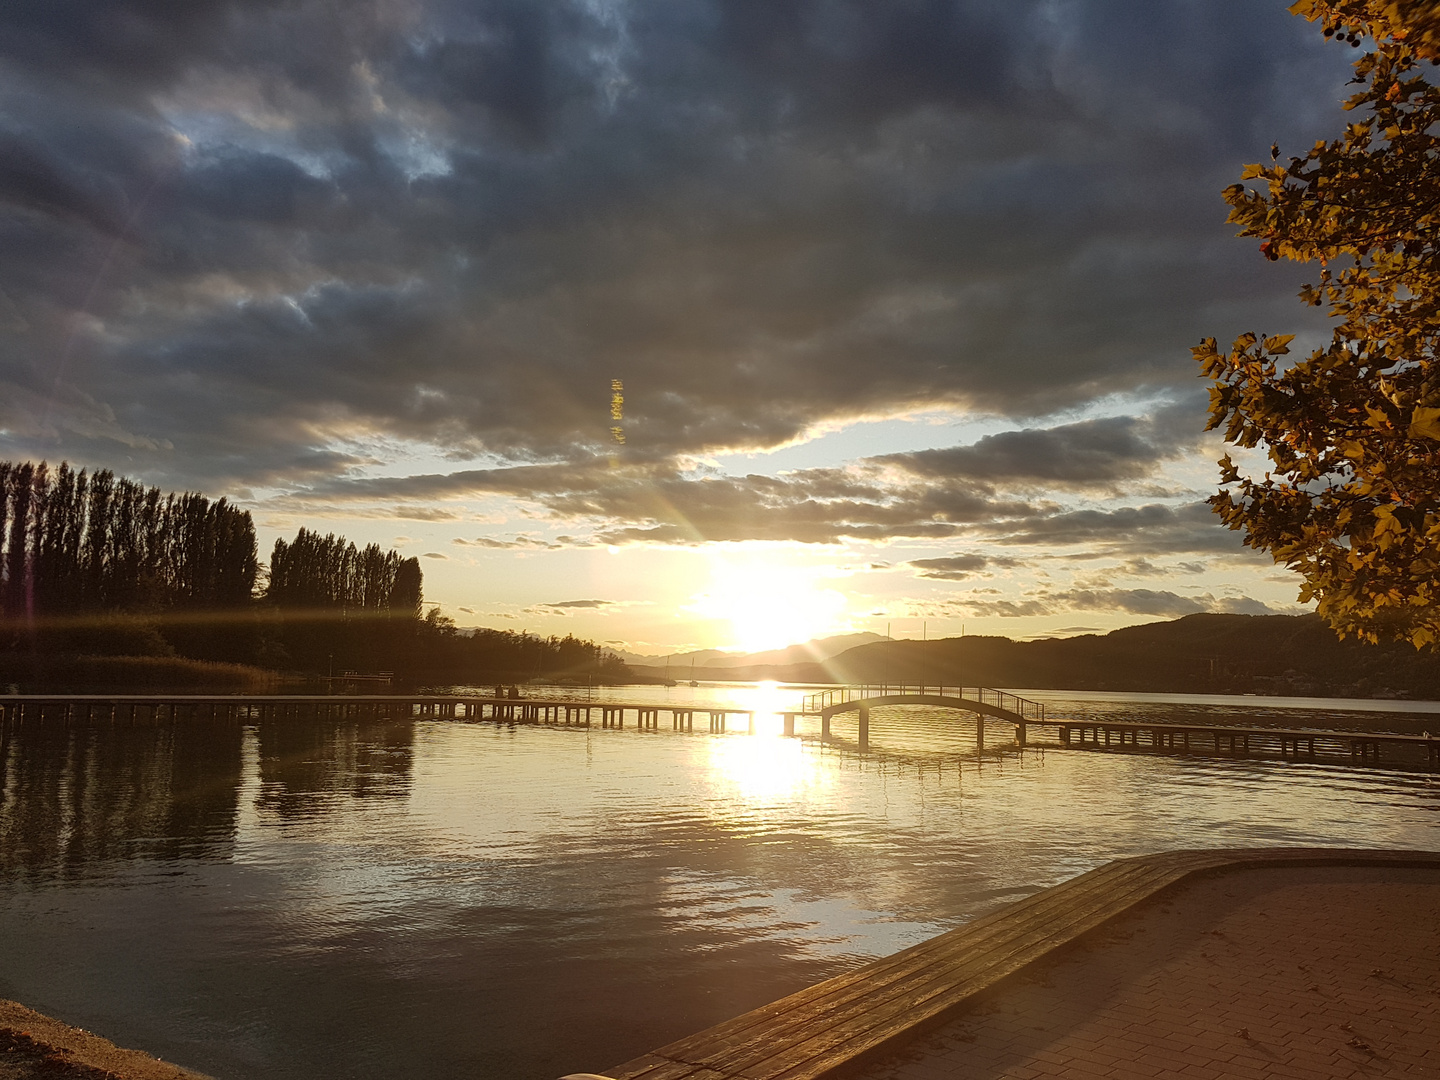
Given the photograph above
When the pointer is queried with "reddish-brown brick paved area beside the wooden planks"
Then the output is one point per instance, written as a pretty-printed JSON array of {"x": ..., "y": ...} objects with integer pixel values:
[{"x": 1298, "y": 974}]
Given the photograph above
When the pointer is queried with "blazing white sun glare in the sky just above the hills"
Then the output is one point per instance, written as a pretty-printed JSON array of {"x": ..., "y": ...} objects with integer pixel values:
[{"x": 768, "y": 603}]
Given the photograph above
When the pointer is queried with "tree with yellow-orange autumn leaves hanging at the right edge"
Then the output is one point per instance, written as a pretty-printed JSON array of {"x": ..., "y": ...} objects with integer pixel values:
[{"x": 1353, "y": 433}]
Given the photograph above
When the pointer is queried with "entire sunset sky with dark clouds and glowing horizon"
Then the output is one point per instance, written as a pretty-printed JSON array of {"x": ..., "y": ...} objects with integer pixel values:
[{"x": 901, "y": 294}]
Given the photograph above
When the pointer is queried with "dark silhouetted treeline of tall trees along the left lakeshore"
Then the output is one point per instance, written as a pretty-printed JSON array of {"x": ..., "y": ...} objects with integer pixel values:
[{"x": 96, "y": 565}]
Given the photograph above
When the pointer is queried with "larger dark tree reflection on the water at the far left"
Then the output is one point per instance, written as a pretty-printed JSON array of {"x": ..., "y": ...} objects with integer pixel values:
[{"x": 77, "y": 797}]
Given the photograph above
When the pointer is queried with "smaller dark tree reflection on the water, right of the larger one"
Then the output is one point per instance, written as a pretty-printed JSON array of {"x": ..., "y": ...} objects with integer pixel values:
[{"x": 309, "y": 765}]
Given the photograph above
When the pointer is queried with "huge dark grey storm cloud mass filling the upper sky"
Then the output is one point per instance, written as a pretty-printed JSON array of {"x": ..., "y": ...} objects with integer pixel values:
[{"x": 240, "y": 237}]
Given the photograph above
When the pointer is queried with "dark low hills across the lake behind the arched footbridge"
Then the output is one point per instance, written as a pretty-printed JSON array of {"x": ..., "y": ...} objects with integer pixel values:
[{"x": 1219, "y": 654}]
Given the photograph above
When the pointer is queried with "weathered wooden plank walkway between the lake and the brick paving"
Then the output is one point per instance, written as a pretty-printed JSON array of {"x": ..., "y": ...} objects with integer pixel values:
[{"x": 856, "y": 1017}]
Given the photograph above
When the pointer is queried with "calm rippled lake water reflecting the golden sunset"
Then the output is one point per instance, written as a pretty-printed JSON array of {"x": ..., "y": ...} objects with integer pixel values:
[{"x": 443, "y": 899}]
